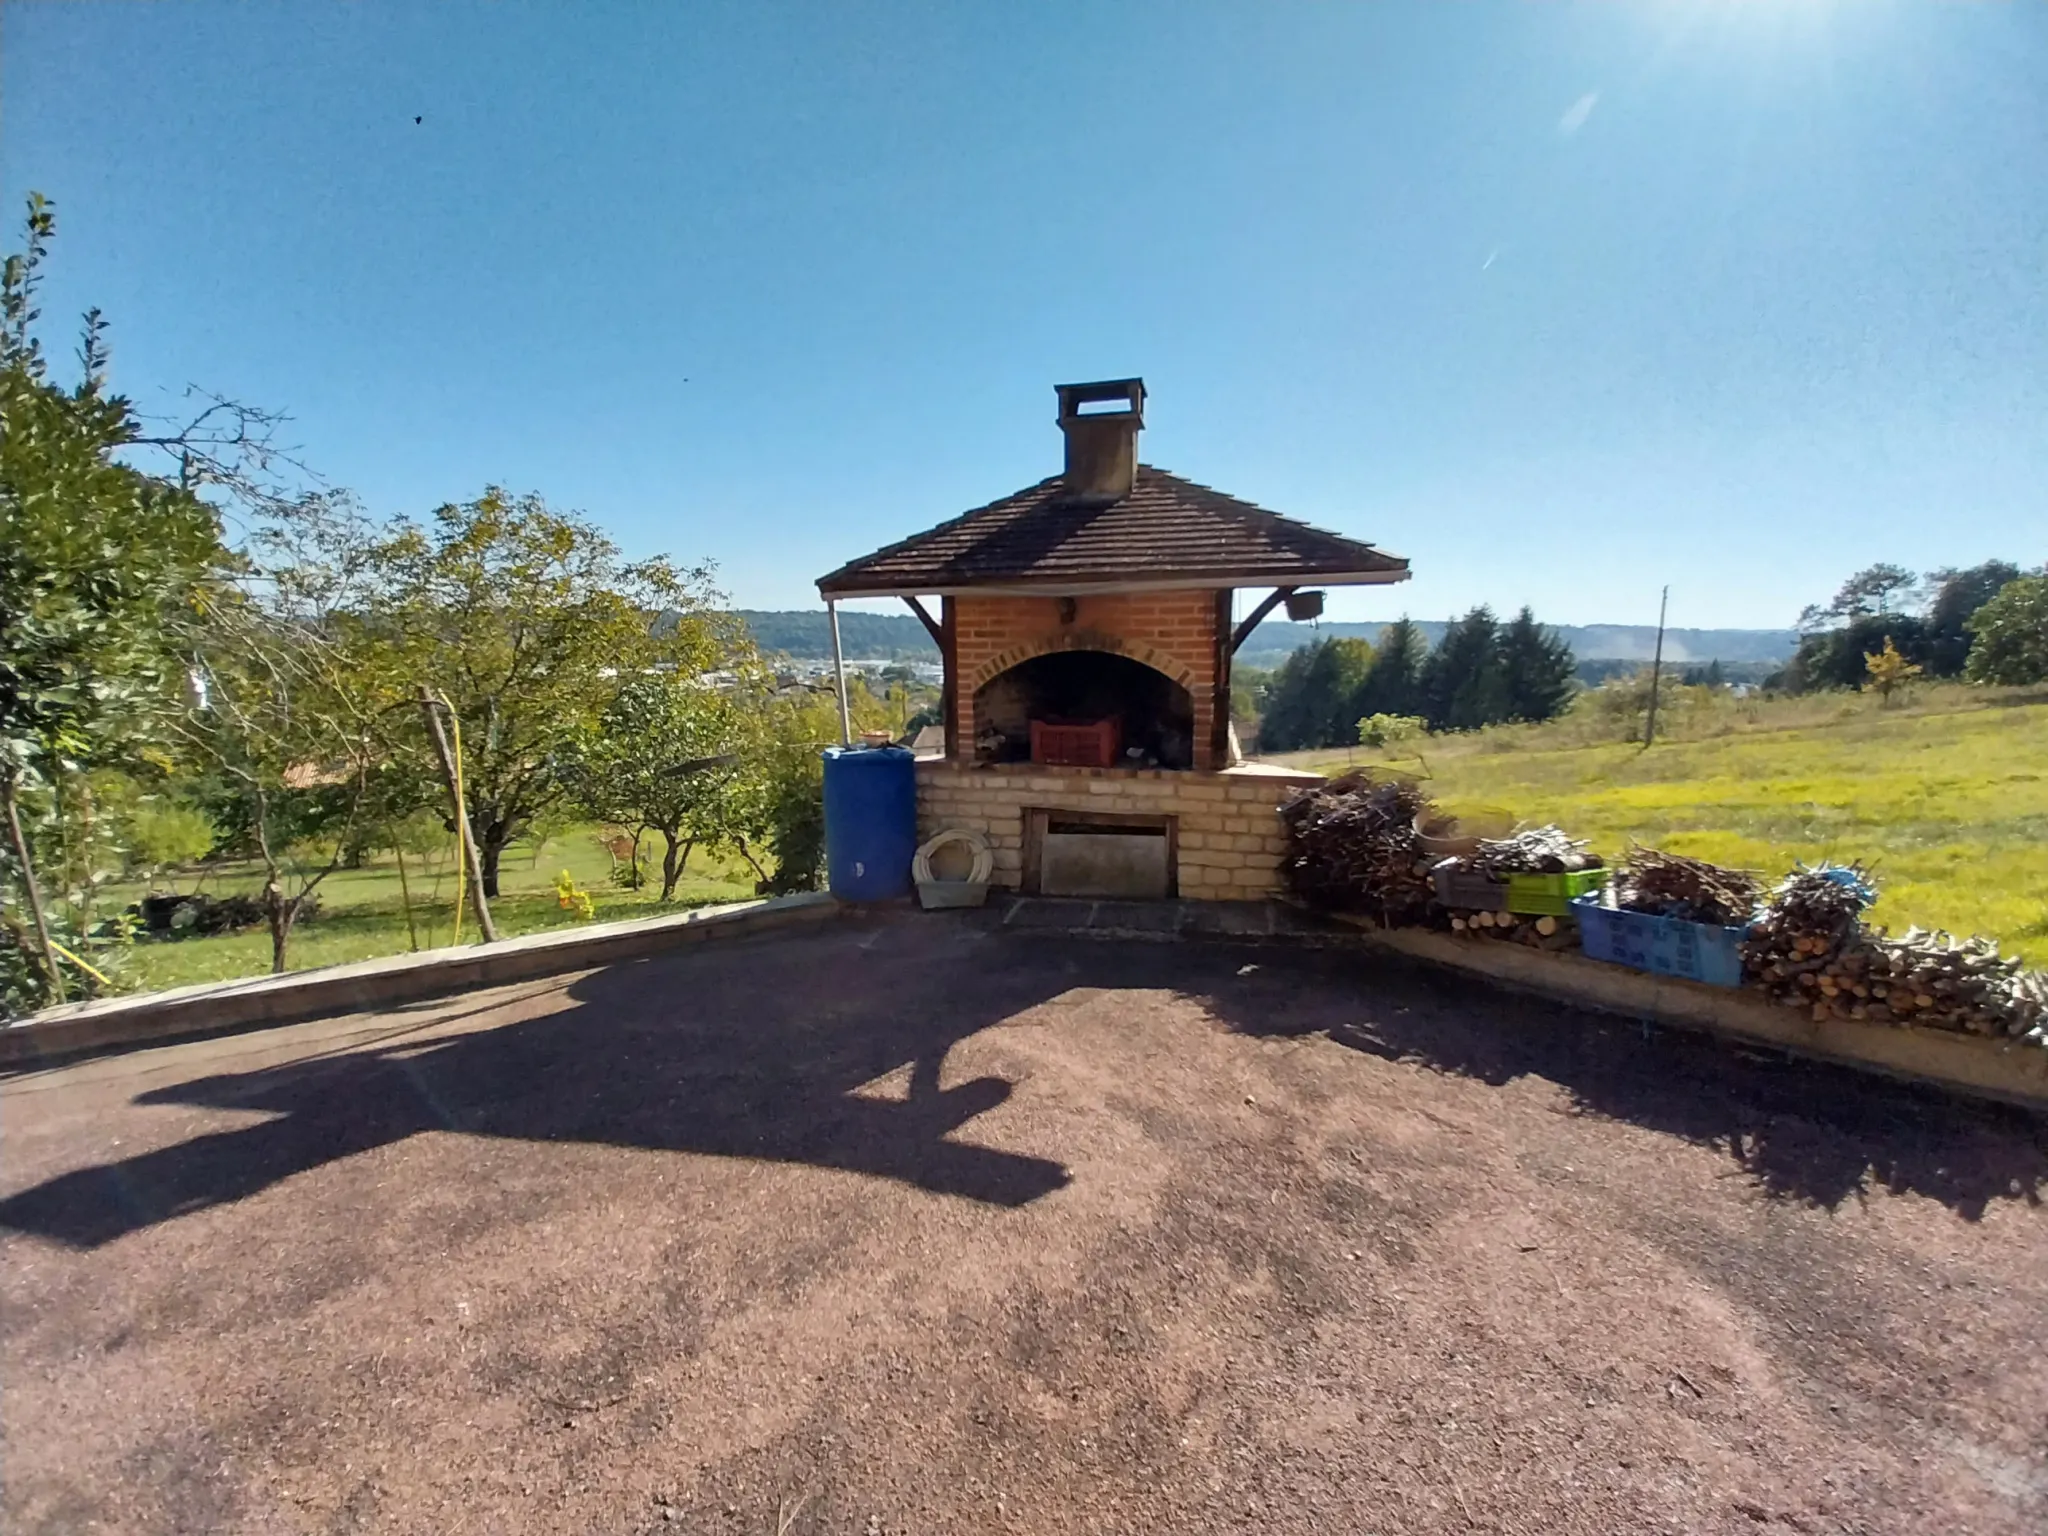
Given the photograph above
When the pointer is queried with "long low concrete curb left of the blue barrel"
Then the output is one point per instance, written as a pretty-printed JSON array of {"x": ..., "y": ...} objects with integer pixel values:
[{"x": 296, "y": 996}]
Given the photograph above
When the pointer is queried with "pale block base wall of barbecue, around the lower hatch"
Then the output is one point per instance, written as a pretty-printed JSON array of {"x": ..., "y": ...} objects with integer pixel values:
[{"x": 1230, "y": 824}]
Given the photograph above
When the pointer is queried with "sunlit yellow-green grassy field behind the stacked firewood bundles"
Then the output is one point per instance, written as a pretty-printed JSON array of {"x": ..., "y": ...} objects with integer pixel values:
[{"x": 1945, "y": 798}]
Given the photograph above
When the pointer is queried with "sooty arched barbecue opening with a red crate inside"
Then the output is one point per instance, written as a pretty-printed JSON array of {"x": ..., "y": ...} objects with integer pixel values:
[{"x": 1084, "y": 710}]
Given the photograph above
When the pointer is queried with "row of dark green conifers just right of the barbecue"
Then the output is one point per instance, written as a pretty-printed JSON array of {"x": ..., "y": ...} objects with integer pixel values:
[{"x": 1482, "y": 673}]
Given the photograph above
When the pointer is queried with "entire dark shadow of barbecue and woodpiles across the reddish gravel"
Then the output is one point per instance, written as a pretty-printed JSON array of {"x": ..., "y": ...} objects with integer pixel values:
[{"x": 759, "y": 1052}]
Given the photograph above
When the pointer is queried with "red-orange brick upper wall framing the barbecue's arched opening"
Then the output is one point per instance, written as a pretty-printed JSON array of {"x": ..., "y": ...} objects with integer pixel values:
[{"x": 1168, "y": 632}]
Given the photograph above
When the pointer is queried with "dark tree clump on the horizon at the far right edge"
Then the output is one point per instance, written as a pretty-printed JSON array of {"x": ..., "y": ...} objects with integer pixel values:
[{"x": 1988, "y": 624}]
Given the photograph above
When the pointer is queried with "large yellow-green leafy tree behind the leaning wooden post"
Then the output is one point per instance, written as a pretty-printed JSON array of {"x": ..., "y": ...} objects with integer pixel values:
[{"x": 529, "y": 622}]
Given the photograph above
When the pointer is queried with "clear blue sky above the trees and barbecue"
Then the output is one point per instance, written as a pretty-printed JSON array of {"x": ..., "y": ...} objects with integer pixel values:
[{"x": 1562, "y": 302}]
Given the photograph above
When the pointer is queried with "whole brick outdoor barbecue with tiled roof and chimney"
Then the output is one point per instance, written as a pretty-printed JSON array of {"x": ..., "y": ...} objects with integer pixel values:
[{"x": 1086, "y": 628}]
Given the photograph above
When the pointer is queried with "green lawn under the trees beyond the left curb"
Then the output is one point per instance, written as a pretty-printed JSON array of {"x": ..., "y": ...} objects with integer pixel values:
[{"x": 364, "y": 914}]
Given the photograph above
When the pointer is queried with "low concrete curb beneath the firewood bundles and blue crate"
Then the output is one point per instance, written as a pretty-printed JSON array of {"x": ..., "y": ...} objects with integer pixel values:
[{"x": 1967, "y": 1064}]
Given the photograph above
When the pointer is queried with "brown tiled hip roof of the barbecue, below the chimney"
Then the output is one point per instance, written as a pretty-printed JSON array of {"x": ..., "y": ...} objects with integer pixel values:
[{"x": 1166, "y": 534}]
